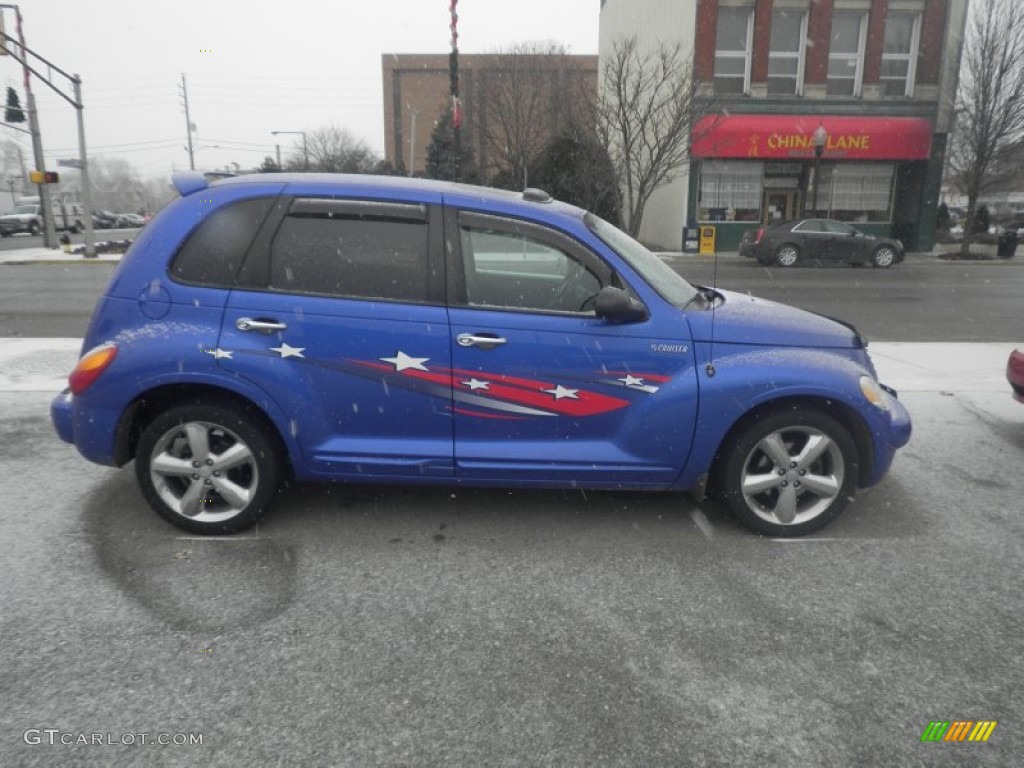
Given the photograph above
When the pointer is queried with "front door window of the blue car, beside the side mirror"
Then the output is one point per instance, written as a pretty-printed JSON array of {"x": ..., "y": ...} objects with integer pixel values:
[{"x": 515, "y": 270}]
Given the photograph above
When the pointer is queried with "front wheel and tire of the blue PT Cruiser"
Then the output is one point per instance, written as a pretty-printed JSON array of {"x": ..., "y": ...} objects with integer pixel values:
[{"x": 820, "y": 486}]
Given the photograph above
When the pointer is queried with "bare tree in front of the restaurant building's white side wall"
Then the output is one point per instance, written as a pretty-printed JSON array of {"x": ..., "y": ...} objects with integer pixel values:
[{"x": 647, "y": 109}]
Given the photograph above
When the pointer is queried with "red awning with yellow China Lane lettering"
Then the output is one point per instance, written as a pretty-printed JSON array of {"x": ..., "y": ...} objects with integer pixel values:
[{"x": 776, "y": 137}]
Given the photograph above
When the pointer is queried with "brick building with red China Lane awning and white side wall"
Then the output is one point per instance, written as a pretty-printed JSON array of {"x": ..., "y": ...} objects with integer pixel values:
[{"x": 878, "y": 76}]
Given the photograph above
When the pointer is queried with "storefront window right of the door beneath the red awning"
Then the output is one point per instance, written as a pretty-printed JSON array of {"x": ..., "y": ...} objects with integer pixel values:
[{"x": 857, "y": 192}]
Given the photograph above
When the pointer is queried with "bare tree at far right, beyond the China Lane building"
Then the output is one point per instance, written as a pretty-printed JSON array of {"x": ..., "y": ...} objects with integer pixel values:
[{"x": 990, "y": 118}]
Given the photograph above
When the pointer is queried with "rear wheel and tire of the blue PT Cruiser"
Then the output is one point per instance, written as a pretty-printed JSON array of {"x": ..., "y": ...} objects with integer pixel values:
[{"x": 230, "y": 499}]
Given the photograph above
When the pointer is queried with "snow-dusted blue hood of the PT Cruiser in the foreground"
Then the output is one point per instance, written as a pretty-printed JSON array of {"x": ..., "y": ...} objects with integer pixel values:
[{"x": 740, "y": 319}]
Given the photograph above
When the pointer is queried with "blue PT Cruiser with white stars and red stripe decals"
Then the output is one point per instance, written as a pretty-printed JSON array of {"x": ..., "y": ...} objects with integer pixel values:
[{"x": 388, "y": 330}]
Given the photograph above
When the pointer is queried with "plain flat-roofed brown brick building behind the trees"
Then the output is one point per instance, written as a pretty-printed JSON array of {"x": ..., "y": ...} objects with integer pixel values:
[{"x": 418, "y": 84}]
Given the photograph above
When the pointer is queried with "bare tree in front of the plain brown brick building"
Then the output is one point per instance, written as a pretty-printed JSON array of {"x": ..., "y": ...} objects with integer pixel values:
[{"x": 526, "y": 100}]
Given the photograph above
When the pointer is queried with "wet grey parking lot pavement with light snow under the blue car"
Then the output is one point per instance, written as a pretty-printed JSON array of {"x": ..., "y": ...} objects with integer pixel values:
[{"x": 390, "y": 626}]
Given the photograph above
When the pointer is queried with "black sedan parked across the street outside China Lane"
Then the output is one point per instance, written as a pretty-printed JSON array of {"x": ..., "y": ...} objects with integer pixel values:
[{"x": 819, "y": 241}]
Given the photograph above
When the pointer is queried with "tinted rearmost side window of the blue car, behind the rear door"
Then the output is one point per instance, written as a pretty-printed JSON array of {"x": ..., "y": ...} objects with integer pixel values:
[{"x": 214, "y": 253}]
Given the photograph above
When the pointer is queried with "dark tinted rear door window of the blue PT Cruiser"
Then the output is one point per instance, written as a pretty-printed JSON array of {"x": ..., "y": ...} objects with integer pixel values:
[{"x": 355, "y": 250}]
